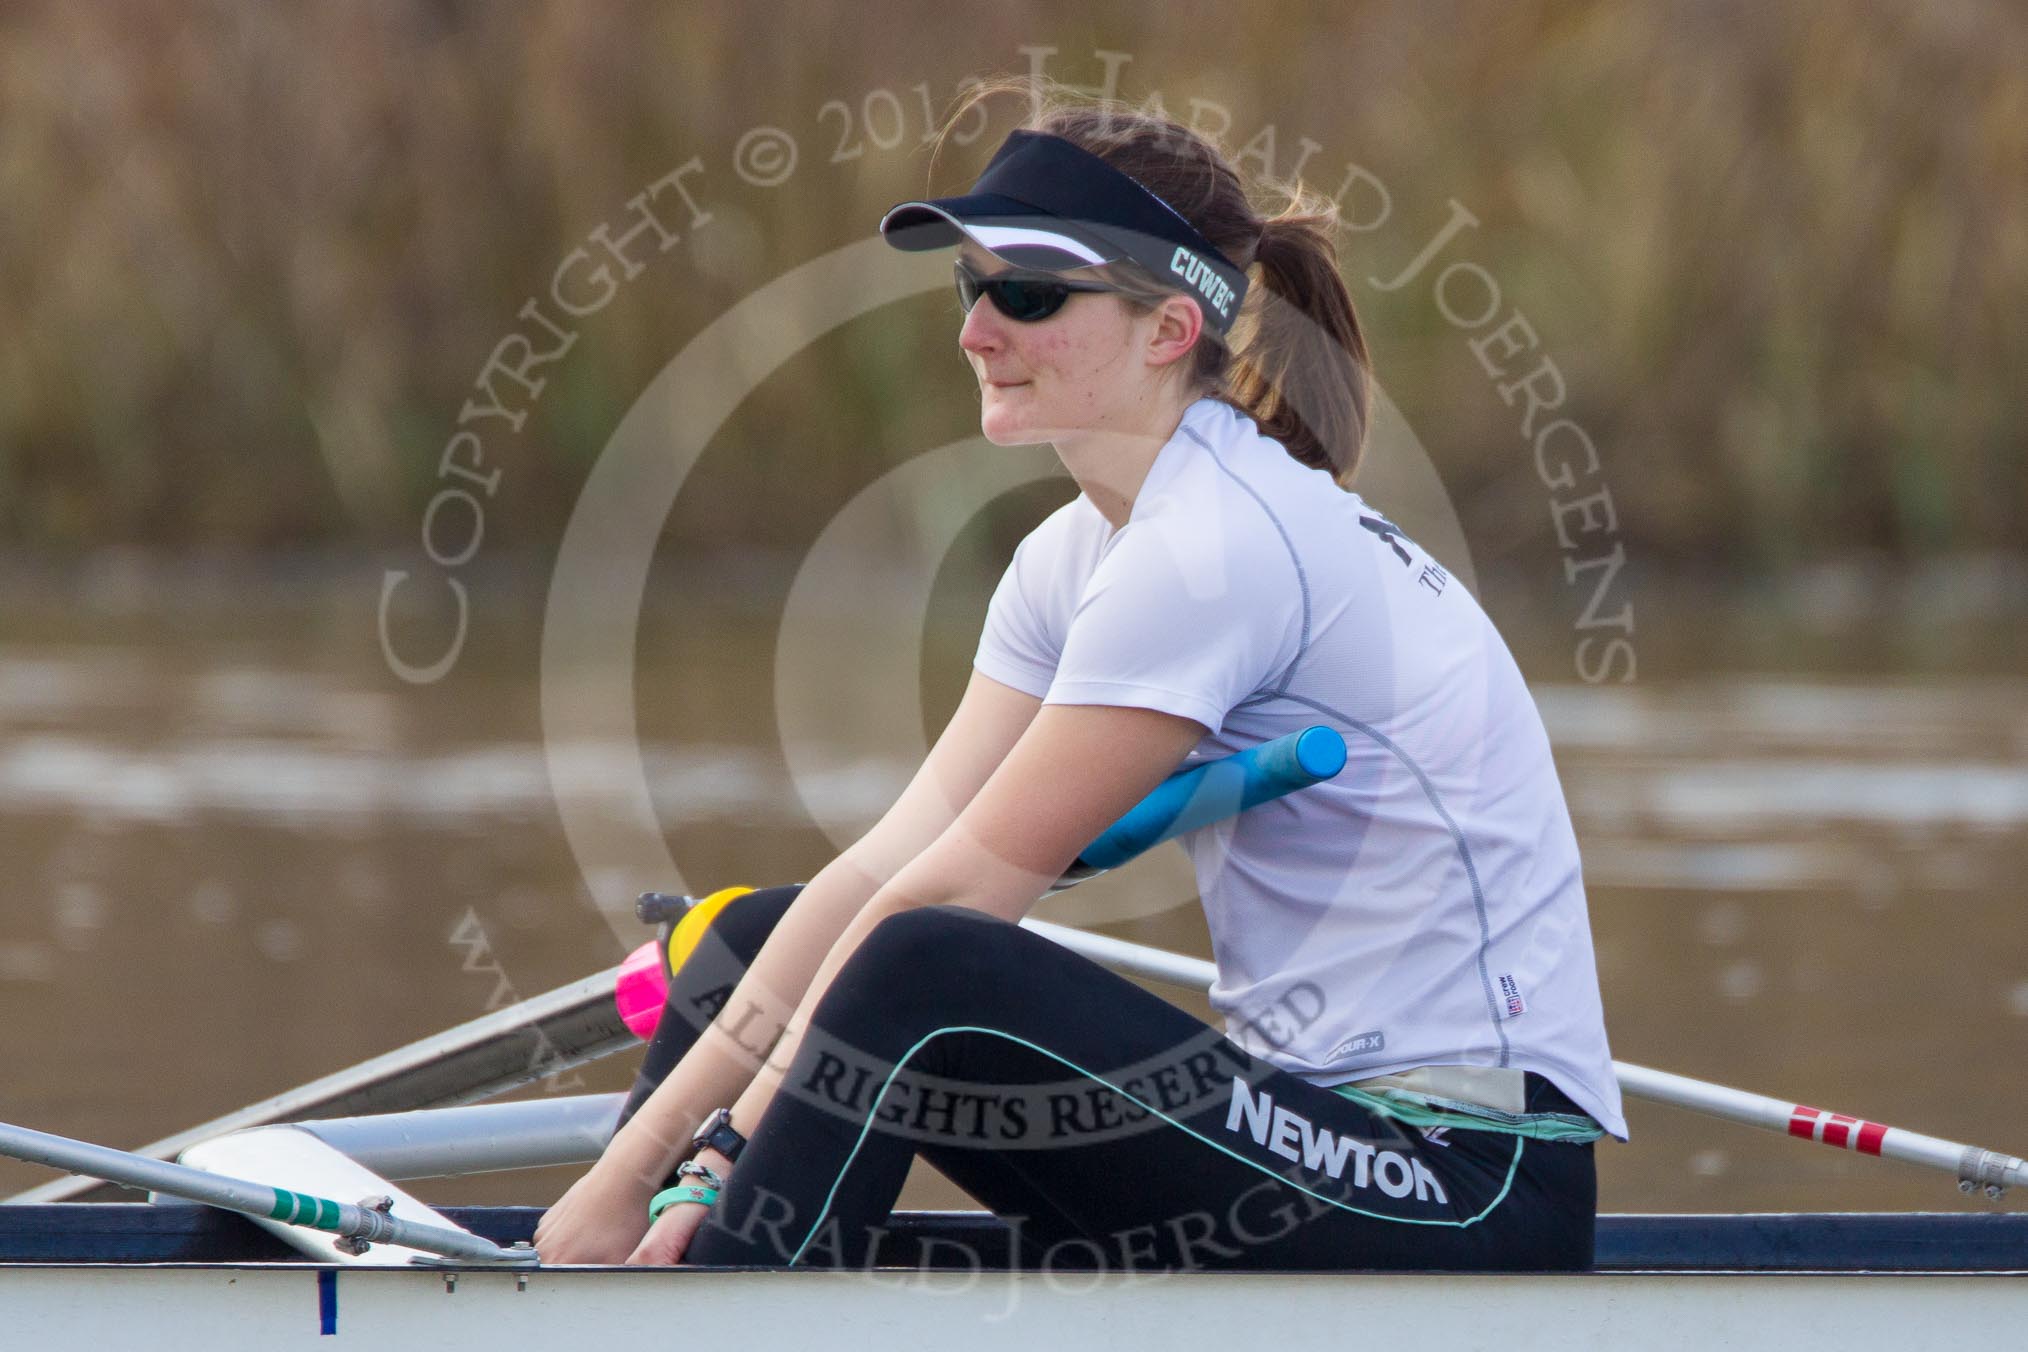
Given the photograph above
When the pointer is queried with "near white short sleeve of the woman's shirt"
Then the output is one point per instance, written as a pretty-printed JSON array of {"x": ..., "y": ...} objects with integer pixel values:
[{"x": 1183, "y": 625}]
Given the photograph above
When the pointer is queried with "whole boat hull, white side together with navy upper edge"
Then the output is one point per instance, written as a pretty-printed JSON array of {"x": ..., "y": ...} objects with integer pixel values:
[{"x": 194, "y": 1278}]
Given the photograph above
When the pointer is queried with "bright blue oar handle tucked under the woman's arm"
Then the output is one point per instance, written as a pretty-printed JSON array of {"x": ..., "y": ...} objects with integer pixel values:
[{"x": 1214, "y": 792}]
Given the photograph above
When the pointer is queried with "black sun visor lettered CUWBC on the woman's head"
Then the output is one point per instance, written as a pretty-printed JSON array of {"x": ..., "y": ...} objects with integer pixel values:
[{"x": 1052, "y": 206}]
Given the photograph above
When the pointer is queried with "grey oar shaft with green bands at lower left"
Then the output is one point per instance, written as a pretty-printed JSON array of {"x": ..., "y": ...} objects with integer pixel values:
[{"x": 238, "y": 1195}]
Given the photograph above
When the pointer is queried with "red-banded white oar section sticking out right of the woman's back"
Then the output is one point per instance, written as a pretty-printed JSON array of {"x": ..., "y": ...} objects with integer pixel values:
[{"x": 1976, "y": 1169}]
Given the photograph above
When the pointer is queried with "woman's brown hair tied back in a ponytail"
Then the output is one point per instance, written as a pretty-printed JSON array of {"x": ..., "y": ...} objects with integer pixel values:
[{"x": 1297, "y": 360}]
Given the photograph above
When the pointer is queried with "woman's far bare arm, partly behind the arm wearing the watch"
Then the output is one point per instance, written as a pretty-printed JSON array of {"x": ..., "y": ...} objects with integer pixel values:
[{"x": 987, "y": 727}]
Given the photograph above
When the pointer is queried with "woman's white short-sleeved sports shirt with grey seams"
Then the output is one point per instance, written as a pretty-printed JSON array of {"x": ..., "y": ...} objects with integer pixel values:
[{"x": 1423, "y": 909}]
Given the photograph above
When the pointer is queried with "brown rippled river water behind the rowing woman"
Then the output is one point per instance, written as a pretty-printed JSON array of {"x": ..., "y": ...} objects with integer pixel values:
[{"x": 238, "y": 854}]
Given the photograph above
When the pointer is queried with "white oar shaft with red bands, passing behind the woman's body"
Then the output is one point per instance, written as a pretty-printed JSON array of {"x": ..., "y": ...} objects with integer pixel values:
[{"x": 1974, "y": 1167}]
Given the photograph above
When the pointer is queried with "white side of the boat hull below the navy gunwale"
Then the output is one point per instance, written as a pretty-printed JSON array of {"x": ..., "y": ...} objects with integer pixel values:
[{"x": 224, "y": 1308}]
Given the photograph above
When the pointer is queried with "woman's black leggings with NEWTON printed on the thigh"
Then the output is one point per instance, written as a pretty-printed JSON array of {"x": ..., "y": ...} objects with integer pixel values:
[{"x": 1104, "y": 1124}]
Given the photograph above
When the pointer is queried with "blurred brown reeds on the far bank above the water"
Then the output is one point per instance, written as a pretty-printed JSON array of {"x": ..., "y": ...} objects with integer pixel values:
[{"x": 252, "y": 256}]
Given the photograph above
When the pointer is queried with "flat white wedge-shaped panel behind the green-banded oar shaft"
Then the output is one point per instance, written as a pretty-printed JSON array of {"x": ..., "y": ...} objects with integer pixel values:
[{"x": 321, "y": 1171}]
